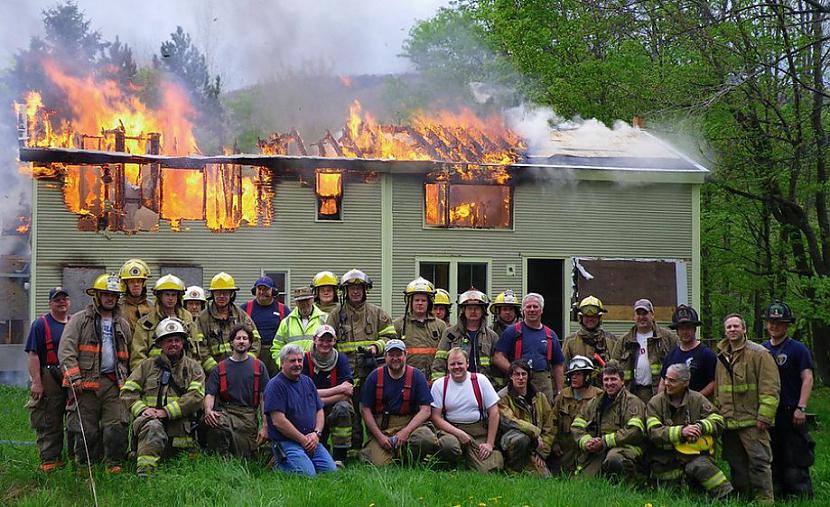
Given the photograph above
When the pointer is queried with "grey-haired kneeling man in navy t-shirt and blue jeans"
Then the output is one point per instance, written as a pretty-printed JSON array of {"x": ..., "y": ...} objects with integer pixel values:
[{"x": 295, "y": 418}]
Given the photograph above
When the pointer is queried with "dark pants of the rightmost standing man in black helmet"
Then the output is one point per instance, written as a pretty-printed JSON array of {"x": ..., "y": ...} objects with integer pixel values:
[{"x": 792, "y": 455}]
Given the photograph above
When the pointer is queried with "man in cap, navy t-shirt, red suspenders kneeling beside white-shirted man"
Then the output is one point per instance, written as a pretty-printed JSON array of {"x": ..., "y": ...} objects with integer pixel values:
[{"x": 395, "y": 405}]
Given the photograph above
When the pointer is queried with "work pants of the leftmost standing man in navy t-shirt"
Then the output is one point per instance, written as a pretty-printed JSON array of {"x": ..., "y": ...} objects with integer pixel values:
[{"x": 46, "y": 416}]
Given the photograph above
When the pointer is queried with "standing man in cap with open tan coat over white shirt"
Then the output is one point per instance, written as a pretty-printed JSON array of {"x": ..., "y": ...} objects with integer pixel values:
[{"x": 641, "y": 351}]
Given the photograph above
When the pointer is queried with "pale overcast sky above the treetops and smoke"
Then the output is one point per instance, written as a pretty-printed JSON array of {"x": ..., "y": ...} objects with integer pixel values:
[{"x": 246, "y": 41}]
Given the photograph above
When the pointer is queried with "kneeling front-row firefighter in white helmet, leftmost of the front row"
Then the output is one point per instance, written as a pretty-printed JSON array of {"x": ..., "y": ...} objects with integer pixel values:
[{"x": 163, "y": 394}]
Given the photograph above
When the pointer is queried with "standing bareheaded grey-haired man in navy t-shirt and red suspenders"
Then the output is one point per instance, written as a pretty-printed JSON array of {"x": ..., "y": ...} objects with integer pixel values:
[{"x": 539, "y": 348}]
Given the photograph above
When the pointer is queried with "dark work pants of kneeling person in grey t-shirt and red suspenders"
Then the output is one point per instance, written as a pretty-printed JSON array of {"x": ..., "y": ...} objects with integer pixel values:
[{"x": 236, "y": 431}]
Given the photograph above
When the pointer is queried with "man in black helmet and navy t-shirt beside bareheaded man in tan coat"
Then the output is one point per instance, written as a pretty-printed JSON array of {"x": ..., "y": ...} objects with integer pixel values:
[{"x": 700, "y": 359}]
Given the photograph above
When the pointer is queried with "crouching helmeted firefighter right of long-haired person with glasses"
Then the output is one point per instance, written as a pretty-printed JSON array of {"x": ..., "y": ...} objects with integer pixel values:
[{"x": 566, "y": 406}]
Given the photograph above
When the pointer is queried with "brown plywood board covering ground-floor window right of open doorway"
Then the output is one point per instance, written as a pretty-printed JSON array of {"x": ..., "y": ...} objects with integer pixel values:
[{"x": 621, "y": 282}]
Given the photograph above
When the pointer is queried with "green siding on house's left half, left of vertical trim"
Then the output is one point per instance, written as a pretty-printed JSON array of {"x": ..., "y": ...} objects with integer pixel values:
[{"x": 295, "y": 242}]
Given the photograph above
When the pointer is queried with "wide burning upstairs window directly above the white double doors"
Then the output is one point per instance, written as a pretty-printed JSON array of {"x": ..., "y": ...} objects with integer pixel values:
[{"x": 463, "y": 205}]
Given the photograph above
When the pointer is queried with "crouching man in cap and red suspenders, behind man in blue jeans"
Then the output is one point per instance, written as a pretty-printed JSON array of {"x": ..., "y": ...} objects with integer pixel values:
[{"x": 331, "y": 373}]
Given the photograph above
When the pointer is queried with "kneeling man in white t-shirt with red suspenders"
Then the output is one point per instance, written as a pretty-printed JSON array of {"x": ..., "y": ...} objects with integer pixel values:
[{"x": 465, "y": 411}]
